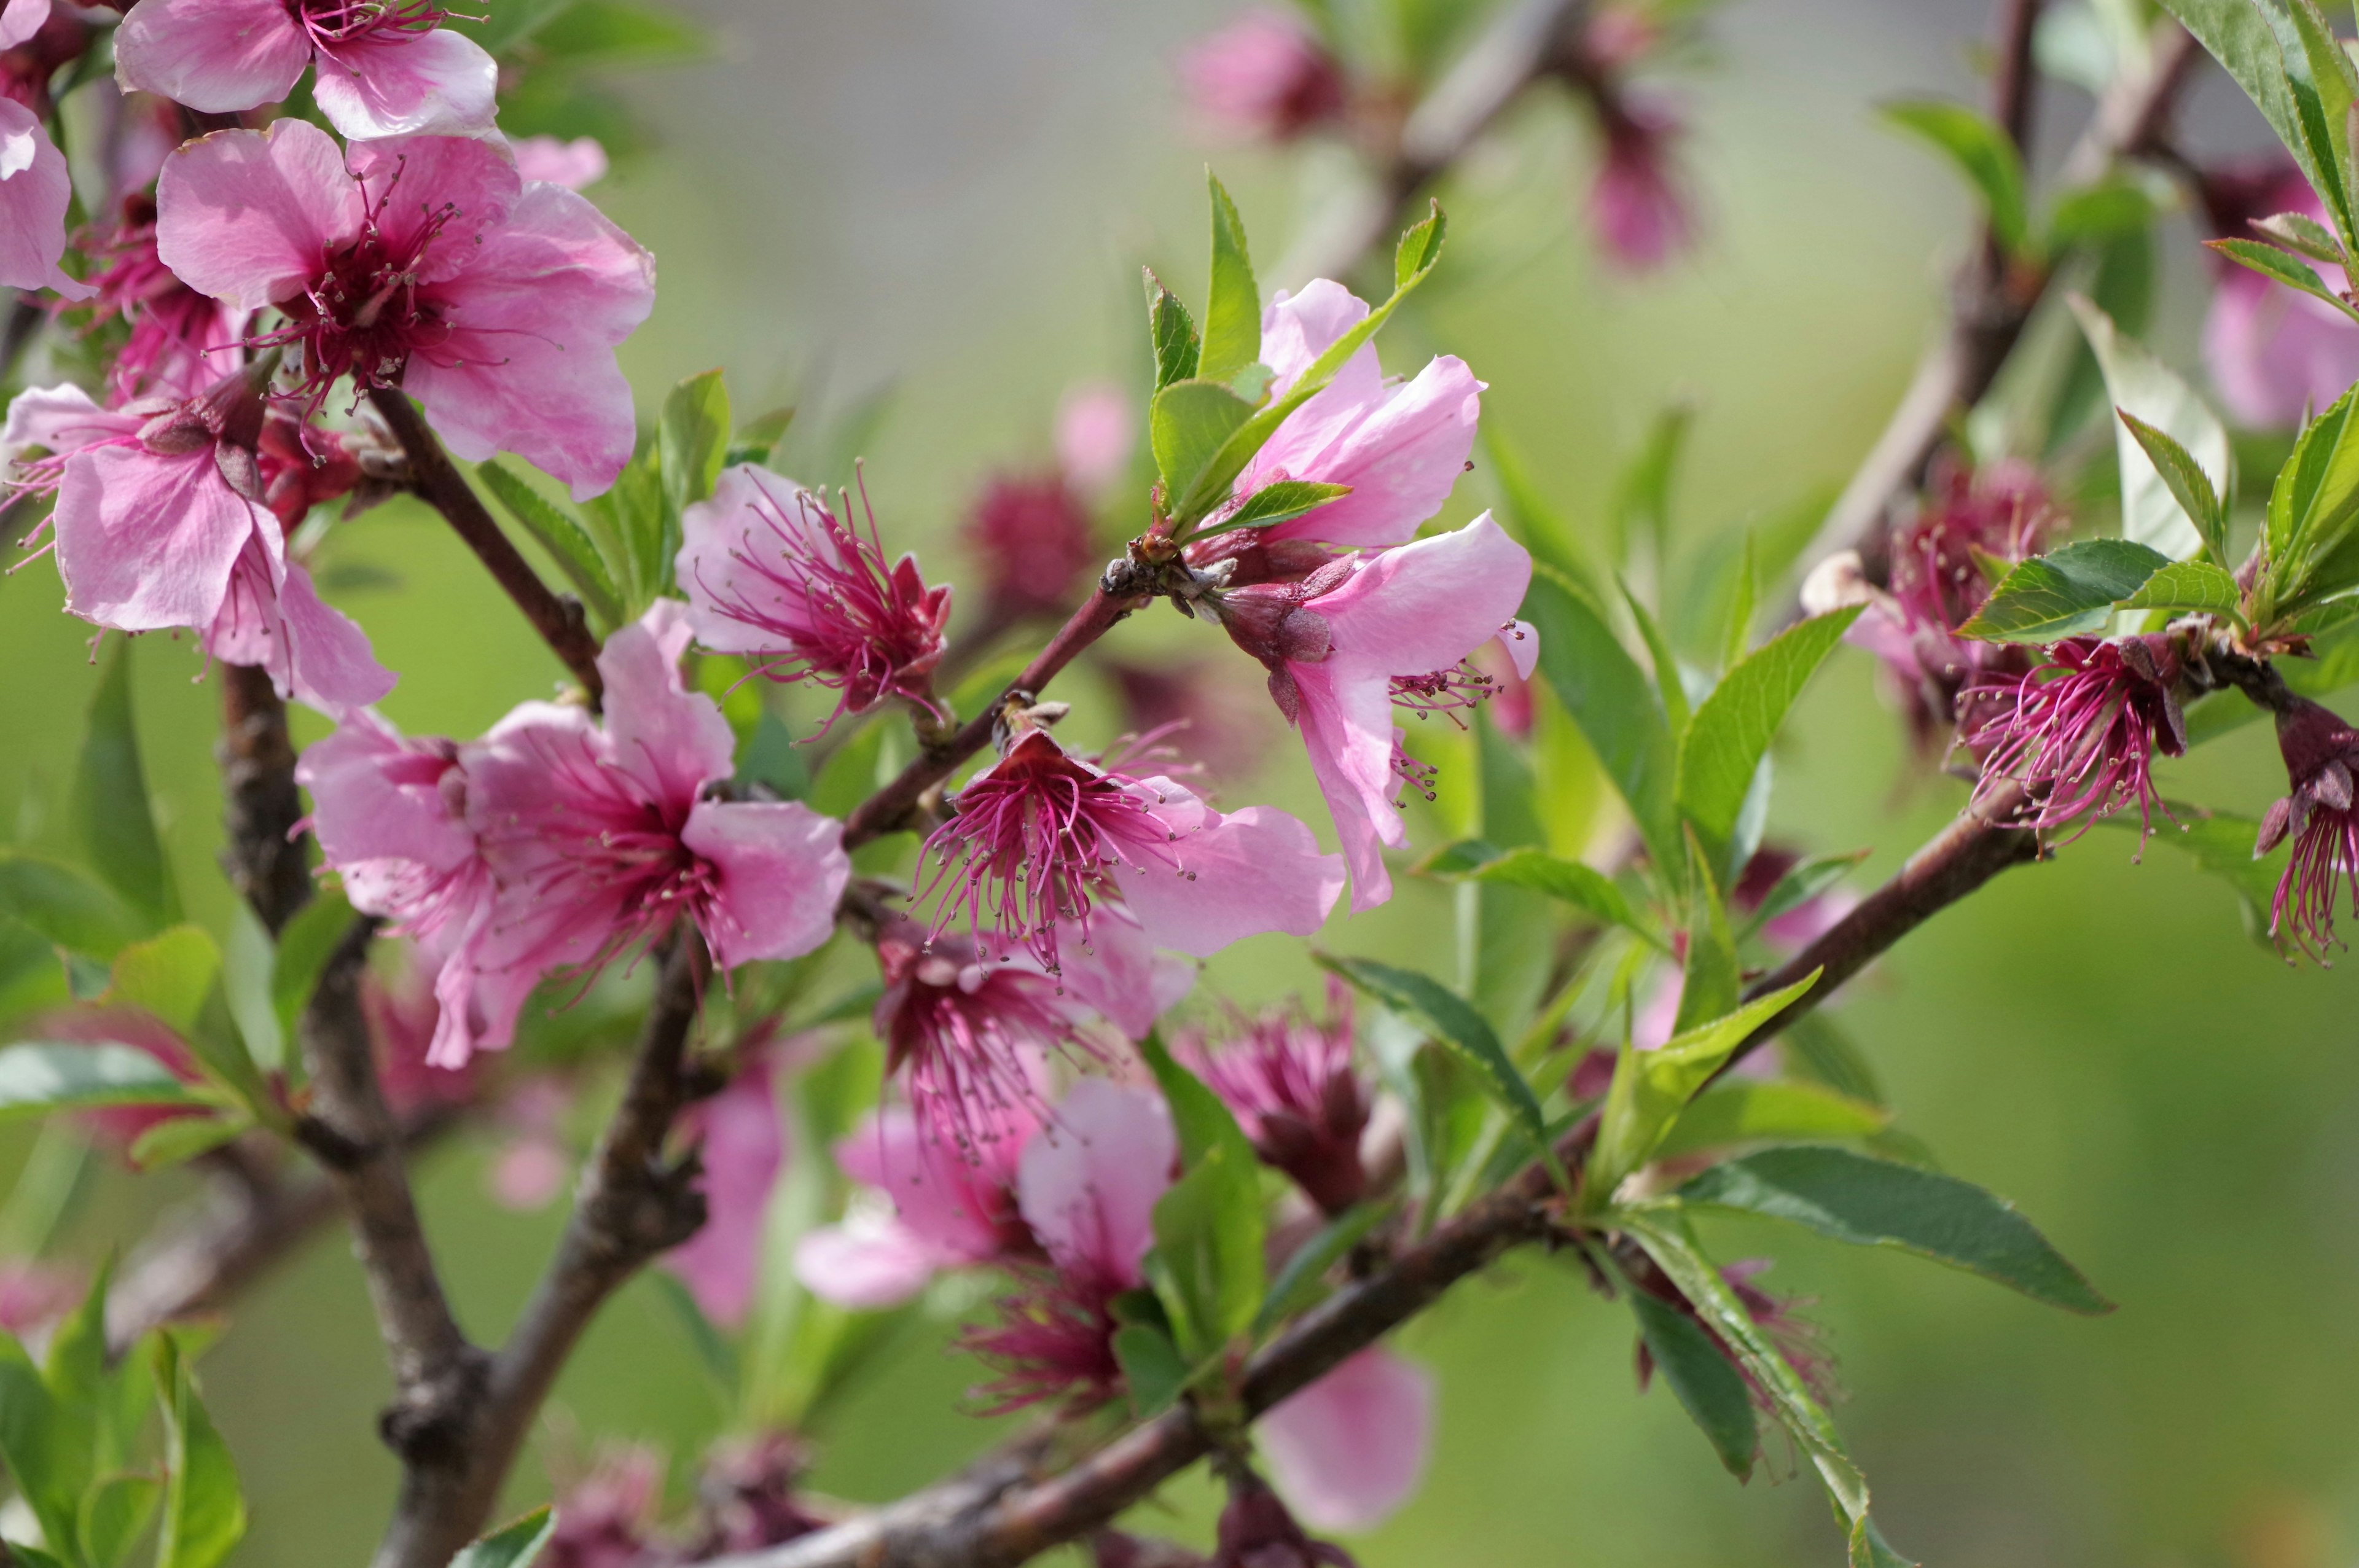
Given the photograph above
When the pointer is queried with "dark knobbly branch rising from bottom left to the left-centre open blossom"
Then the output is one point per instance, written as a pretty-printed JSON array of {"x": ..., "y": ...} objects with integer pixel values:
[{"x": 629, "y": 1208}]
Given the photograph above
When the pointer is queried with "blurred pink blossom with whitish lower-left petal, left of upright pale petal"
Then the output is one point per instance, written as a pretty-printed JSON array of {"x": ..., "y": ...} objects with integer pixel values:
[{"x": 952, "y": 1206}]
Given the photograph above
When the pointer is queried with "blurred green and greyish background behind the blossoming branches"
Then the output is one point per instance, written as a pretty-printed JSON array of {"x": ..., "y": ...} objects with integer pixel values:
[{"x": 947, "y": 204}]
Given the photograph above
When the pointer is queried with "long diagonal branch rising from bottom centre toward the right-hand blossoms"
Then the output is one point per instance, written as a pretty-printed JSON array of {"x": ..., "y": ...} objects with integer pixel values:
[{"x": 968, "y": 1524}]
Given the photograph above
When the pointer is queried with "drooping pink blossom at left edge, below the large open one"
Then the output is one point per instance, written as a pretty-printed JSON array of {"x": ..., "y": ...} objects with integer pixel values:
[{"x": 159, "y": 525}]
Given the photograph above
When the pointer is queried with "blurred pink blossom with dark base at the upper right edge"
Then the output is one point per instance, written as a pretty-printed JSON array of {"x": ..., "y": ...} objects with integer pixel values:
[{"x": 2275, "y": 355}]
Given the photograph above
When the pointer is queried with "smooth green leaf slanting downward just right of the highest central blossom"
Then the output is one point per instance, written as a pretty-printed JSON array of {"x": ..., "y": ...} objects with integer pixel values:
[{"x": 1612, "y": 701}]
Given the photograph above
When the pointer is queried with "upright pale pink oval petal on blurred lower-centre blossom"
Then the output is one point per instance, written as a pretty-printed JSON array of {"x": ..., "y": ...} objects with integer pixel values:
[{"x": 1089, "y": 1182}]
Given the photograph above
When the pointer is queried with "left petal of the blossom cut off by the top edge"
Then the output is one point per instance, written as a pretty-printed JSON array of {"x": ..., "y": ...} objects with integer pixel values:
[{"x": 213, "y": 55}]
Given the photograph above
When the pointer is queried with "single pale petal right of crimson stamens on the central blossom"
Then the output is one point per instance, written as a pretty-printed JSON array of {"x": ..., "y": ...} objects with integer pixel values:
[{"x": 1244, "y": 874}]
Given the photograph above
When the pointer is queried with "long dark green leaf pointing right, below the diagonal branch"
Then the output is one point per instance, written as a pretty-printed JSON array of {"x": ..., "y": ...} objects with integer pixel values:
[{"x": 1879, "y": 1204}]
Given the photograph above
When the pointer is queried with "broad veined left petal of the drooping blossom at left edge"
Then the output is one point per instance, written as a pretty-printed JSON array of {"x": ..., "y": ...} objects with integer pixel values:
[{"x": 150, "y": 541}]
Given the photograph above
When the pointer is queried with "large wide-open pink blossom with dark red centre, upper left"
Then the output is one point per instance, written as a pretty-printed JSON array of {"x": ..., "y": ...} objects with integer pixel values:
[{"x": 433, "y": 268}]
